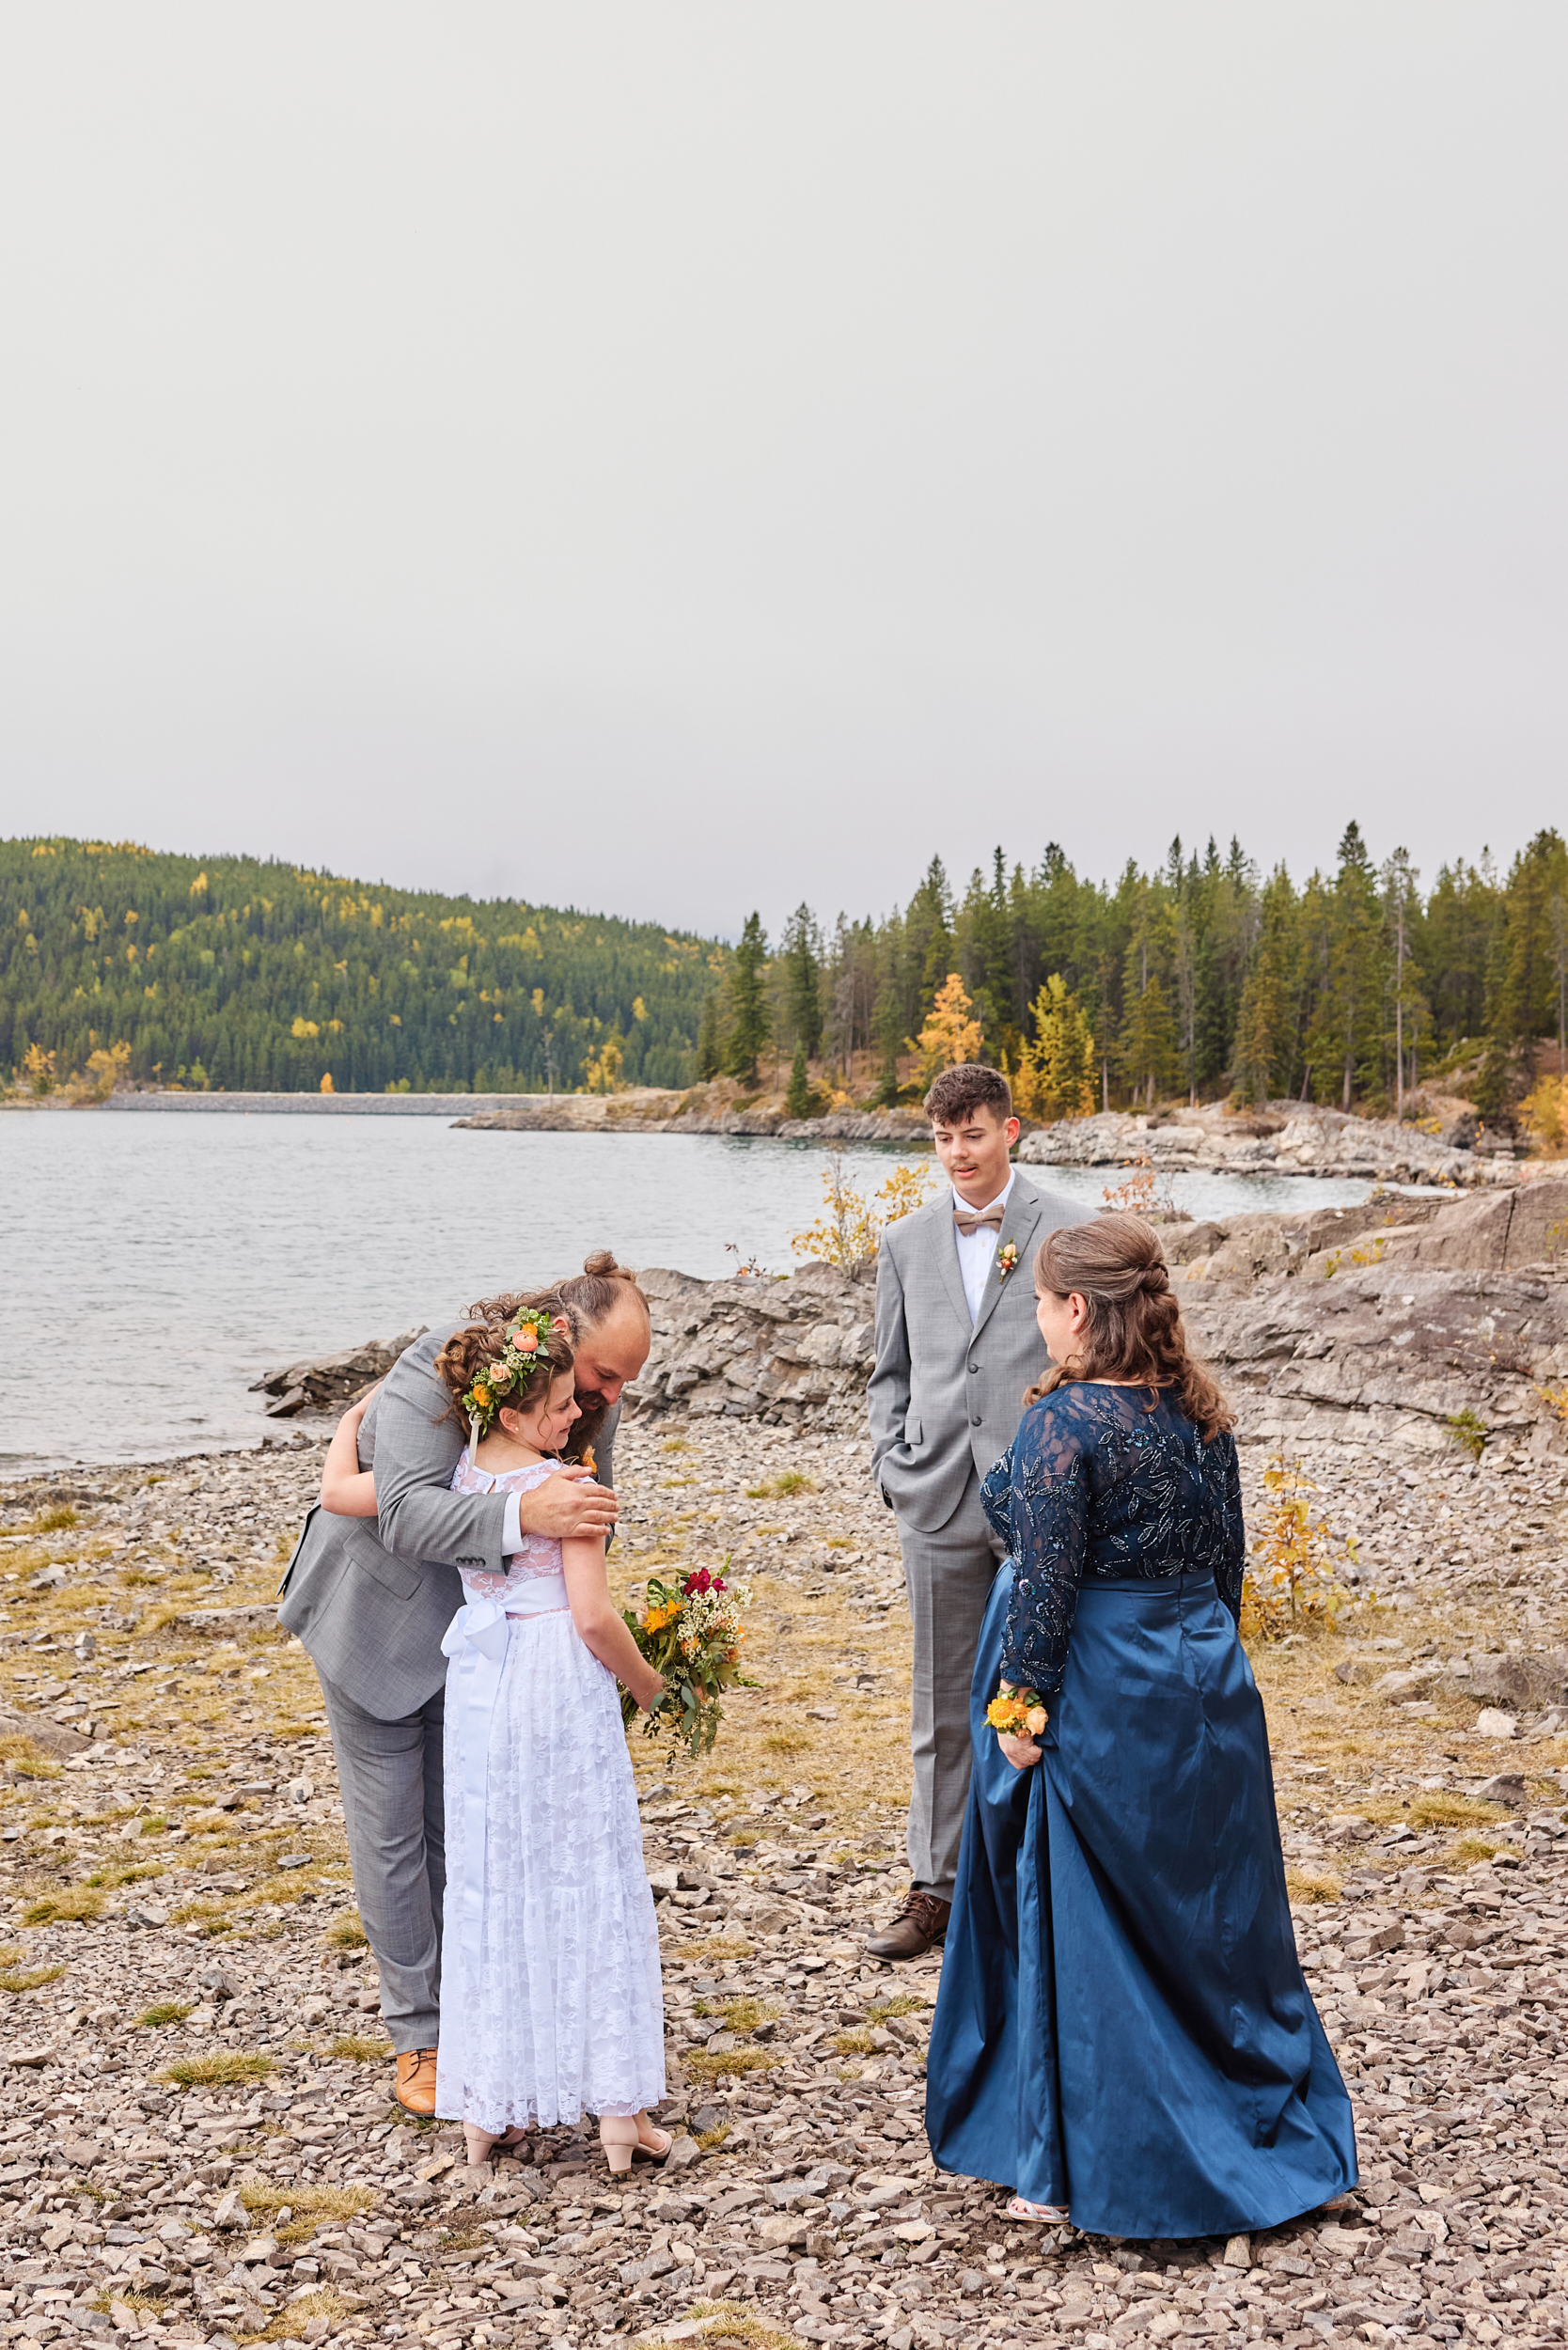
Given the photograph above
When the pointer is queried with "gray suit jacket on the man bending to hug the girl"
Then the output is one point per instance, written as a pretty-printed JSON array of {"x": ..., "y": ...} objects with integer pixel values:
[{"x": 373, "y": 1599}]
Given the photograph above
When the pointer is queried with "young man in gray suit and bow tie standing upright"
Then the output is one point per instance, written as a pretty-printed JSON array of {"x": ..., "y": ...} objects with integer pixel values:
[{"x": 956, "y": 1350}]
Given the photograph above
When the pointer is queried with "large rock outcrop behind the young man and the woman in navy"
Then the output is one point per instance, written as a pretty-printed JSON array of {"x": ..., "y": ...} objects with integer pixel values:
[{"x": 1374, "y": 1324}]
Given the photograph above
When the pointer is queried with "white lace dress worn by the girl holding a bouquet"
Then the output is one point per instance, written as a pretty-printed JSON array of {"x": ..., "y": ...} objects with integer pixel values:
[{"x": 551, "y": 1987}]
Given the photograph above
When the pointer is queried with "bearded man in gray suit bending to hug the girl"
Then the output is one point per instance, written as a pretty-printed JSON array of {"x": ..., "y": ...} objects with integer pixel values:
[{"x": 373, "y": 1599}]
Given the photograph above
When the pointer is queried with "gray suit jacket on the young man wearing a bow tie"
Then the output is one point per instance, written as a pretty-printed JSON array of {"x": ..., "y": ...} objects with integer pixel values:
[{"x": 946, "y": 1397}]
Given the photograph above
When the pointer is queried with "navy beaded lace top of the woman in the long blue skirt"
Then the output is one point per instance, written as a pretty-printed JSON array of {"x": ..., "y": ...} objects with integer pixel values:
[{"x": 1101, "y": 1486}]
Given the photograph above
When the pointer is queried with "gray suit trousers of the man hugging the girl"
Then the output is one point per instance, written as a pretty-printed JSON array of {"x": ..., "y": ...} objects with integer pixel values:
[{"x": 394, "y": 1808}]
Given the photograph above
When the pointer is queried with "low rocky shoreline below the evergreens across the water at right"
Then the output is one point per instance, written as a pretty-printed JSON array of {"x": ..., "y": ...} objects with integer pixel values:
[{"x": 1278, "y": 1141}]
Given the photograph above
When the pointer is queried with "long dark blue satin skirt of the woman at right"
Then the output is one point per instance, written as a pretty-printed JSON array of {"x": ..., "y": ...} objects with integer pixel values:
[{"x": 1123, "y": 2022}]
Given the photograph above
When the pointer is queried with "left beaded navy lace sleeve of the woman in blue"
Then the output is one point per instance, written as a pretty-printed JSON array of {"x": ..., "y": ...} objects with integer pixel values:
[{"x": 1050, "y": 1545}]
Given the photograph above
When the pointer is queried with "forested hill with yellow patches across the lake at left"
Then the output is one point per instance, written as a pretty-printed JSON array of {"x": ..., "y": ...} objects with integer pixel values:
[{"x": 257, "y": 974}]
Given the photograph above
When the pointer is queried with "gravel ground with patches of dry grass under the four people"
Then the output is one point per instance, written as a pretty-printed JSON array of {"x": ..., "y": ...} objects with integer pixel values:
[{"x": 194, "y": 1829}]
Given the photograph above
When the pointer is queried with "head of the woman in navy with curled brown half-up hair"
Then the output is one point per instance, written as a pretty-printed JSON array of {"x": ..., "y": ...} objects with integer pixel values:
[{"x": 1134, "y": 1329}]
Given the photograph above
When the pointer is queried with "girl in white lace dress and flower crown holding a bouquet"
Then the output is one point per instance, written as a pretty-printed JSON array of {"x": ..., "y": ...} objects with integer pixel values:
[{"x": 551, "y": 1987}]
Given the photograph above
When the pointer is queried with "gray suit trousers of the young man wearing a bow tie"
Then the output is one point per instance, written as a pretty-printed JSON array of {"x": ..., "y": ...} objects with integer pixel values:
[{"x": 949, "y": 1578}]
